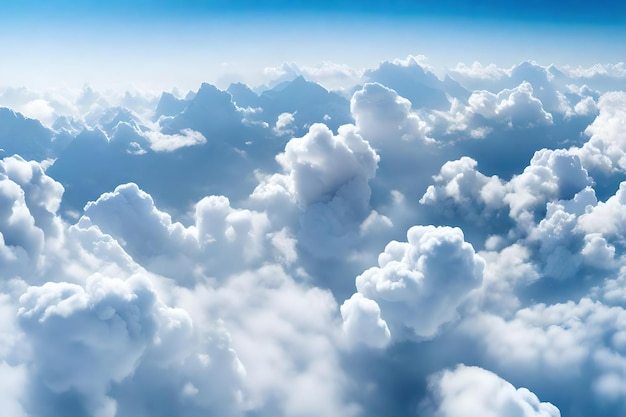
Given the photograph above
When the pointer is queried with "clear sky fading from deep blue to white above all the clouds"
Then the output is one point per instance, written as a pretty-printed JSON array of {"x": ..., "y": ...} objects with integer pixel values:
[{"x": 182, "y": 43}]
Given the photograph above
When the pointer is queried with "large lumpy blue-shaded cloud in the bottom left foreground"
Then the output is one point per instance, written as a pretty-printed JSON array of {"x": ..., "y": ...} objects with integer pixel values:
[{"x": 87, "y": 340}]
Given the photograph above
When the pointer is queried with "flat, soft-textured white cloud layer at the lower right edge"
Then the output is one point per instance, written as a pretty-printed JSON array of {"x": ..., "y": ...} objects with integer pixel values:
[{"x": 574, "y": 343}]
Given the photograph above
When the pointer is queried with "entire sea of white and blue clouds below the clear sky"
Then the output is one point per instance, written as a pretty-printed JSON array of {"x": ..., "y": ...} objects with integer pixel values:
[{"x": 405, "y": 244}]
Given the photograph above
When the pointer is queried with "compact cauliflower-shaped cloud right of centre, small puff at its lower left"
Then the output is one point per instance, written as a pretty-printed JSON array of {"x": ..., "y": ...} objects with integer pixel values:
[{"x": 418, "y": 284}]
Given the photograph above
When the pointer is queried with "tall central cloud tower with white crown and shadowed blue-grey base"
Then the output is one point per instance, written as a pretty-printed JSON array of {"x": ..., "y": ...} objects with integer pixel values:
[{"x": 326, "y": 176}]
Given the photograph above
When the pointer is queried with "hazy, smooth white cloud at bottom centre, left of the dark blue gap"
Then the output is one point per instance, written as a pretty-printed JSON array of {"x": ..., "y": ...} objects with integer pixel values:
[{"x": 286, "y": 334}]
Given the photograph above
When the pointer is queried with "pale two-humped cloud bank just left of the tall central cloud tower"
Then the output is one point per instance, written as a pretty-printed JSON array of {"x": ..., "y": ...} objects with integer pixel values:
[{"x": 222, "y": 239}]
